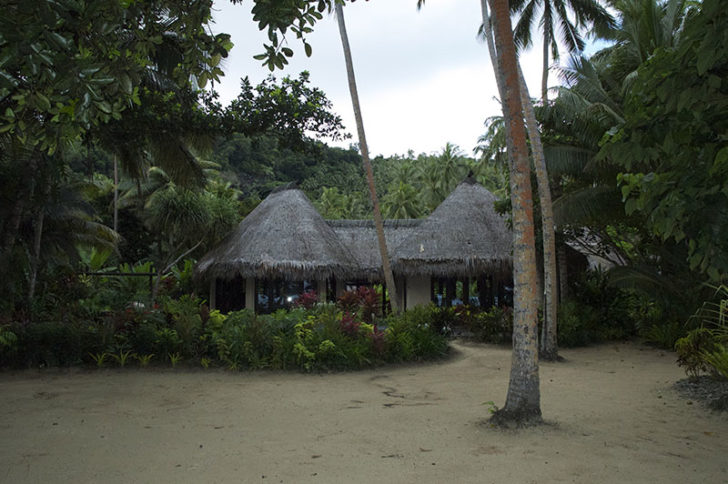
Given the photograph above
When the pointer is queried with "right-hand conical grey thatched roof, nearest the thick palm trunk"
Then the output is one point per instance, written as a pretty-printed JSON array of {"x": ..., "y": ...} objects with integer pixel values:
[{"x": 463, "y": 236}]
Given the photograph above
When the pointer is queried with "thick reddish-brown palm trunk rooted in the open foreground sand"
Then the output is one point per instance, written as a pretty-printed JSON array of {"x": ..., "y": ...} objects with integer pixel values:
[{"x": 523, "y": 405}]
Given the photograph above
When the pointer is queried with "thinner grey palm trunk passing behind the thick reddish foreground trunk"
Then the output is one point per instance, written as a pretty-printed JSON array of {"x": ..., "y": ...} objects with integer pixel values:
[{"x": 549, "y": 349}]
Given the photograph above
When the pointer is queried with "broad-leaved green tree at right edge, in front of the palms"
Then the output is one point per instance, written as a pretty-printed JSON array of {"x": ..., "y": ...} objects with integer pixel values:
[{"x": 672, "y": 146}]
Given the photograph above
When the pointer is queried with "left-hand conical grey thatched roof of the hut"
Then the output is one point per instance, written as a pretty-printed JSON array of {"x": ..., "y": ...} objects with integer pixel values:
[{"x": 283, "y": 237}]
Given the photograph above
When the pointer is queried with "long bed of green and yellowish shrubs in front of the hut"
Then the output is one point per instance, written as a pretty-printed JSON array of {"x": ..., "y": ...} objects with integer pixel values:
[{"x": 183, "y": 330}]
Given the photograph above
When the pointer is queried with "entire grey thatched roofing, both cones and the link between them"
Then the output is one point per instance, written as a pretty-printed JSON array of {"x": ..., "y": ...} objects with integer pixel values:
[{"x": 285, "y": 237}]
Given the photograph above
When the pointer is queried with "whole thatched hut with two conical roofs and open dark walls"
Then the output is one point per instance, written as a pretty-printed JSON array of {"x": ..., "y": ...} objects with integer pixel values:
[{"x": 460, "y": 254}]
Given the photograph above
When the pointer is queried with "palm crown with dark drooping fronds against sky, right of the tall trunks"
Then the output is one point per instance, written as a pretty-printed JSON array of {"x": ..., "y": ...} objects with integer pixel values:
[{"x": 555, "y": 16}]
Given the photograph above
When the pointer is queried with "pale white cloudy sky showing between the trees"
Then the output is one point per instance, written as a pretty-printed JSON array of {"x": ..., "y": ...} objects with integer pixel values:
[{"x": 423, "y": 77}]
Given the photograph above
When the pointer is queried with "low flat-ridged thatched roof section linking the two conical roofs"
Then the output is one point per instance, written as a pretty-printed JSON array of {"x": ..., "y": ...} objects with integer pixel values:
[{"x": 360, "y": 237}]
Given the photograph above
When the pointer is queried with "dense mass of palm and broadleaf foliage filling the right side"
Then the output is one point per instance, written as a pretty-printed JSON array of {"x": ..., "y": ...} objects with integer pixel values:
[{"x": 635, "y": 144}]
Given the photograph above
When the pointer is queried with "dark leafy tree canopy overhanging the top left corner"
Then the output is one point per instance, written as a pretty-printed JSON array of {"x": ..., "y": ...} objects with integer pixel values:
[{"x": 68, "y": 68}]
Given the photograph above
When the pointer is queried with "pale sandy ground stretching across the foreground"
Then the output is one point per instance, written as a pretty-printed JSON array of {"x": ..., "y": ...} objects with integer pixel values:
[{"x": 612, "y": 417}]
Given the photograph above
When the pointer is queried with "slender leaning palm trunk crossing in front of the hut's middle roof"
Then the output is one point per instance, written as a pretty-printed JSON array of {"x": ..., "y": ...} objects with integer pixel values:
[{"x": 388, "y": 276}]
